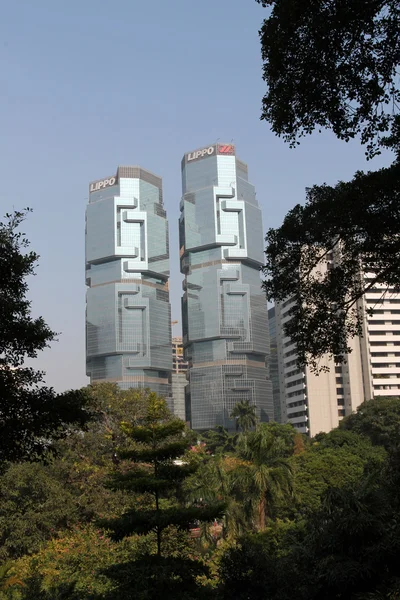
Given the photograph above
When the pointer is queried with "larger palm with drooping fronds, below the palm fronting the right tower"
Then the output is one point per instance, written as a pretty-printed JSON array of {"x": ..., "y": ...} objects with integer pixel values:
[{"x": 266, "y": 475}]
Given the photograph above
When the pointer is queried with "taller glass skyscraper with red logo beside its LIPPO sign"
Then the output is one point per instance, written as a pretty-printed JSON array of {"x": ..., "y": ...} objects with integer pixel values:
[{"x": 224, "y": 311}]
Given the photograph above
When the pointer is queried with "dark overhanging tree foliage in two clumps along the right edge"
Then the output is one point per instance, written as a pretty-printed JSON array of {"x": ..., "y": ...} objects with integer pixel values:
[{"x": 334, "y": 65}]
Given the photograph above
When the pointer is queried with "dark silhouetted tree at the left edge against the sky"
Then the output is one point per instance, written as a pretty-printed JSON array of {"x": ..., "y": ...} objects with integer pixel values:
[{"x": 31, "y": 414}]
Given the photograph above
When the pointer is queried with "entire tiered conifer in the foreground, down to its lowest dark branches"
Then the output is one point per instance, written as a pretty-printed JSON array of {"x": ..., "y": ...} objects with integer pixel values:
[{"x": 157, "y": 441}]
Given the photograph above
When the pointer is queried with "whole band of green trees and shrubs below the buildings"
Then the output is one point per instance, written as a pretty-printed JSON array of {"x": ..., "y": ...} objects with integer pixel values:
[{"x": 316, "y": 516}]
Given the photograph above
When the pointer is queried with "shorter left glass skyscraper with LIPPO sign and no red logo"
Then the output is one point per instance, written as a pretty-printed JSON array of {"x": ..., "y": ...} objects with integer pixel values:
[{"x": 128, "y": 314}]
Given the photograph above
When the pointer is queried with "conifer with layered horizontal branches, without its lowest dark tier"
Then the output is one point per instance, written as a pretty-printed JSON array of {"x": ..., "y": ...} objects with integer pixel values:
[{"x": 155, "y": 444}]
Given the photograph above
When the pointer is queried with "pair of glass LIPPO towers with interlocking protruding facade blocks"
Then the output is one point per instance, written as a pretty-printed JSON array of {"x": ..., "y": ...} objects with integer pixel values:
[{"x": 224, "y": 313}]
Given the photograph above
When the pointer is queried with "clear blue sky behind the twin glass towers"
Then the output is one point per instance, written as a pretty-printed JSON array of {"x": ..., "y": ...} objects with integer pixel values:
[{"x": 90, "y": 84}]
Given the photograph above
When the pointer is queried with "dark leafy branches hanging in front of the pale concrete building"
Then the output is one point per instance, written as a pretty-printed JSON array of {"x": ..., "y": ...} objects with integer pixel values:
[{"x": 338, "y": 227}]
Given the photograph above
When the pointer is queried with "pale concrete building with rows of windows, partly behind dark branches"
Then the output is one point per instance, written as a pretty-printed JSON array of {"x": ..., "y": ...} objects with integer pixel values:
[{"x": 315, "y": 403}]
